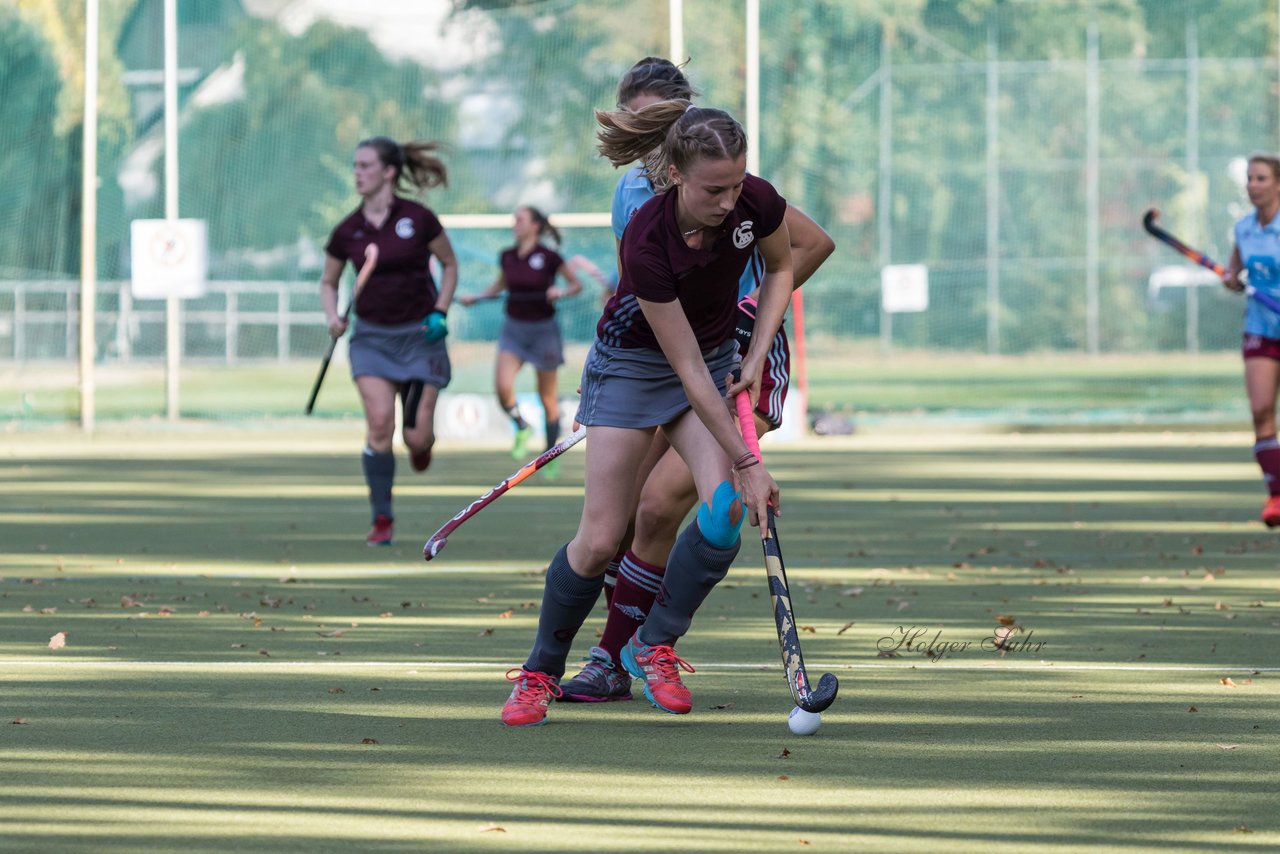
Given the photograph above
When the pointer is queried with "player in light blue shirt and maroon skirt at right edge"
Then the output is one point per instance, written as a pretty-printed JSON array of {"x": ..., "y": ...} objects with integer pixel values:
[{"x": 1258, "y": 250}]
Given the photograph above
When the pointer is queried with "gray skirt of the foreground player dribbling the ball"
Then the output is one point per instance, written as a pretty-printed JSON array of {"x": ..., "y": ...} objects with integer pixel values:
[{"x": 639, "y": 389}]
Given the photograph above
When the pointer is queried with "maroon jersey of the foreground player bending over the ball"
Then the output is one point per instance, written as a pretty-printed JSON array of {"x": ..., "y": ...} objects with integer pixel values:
[{"x": 657, "y": 266}]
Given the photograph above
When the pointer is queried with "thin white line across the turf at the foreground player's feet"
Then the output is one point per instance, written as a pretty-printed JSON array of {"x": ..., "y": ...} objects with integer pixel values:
[{"x": 817, "y": 668}]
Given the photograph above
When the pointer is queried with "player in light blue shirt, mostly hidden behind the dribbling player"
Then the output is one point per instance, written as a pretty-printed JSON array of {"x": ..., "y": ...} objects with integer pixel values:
[{"x": 668, "y": 495}]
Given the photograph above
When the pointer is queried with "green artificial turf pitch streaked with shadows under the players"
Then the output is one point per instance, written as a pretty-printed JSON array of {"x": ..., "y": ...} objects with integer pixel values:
[{"x": 241, "y": 673}]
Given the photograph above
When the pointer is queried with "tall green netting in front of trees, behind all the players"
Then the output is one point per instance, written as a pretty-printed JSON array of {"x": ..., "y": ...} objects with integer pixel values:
[{"x": 1011, "y": 147}]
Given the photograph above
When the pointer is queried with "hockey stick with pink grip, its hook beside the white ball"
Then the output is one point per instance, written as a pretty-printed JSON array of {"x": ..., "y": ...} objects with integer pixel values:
[{"x": 811, "y": 700}]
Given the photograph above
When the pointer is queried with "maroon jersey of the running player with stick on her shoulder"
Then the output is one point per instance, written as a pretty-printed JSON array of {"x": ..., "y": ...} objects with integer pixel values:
[{"x": 401, "y": 289}]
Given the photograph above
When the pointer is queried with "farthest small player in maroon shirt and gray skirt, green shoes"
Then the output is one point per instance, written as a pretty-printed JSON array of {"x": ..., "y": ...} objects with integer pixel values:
[{"x": 531, "y": 334}]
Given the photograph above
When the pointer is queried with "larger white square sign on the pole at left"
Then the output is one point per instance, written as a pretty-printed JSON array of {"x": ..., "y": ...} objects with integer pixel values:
[{"x": 171, "y": 258}]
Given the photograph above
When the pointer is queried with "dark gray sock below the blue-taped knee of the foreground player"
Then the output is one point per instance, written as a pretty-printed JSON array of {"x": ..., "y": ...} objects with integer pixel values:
[{"x": 693, "y": 570}]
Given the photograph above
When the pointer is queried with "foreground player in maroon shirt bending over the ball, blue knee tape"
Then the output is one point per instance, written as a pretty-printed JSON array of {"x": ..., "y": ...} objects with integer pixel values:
[{"x": 664, "y": 357}]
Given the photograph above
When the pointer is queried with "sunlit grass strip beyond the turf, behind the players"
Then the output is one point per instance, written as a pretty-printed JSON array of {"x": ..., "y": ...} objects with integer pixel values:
[{"x": 863, "y": 385}]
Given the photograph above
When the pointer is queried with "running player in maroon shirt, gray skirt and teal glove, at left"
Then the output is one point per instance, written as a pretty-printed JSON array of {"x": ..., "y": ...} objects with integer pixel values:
[{"x": 397, "y": 348}]
